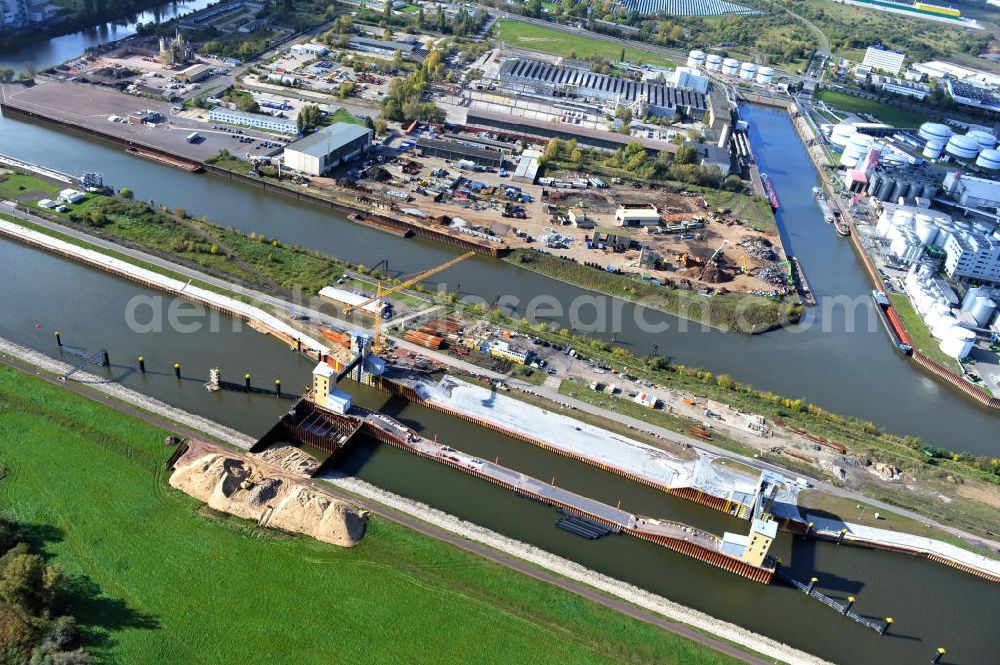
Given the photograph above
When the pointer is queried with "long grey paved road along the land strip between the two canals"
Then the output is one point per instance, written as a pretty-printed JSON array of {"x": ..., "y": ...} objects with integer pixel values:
[{"x": 444, "y": 359}]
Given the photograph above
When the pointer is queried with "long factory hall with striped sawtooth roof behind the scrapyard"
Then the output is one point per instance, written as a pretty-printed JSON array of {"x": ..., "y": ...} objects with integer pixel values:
[{"x": 545, "y": 79}]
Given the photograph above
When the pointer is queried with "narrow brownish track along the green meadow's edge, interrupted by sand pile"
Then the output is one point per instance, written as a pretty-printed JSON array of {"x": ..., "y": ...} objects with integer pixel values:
[{"x": 426, "y": 529}]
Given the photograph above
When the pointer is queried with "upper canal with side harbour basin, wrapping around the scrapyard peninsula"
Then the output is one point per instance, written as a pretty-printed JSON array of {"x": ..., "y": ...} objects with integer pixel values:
[{"x": 838, "y": 358}]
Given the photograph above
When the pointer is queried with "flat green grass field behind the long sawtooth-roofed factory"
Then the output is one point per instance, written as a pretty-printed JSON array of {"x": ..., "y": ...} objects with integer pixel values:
[{"x": 546, "y": 40}]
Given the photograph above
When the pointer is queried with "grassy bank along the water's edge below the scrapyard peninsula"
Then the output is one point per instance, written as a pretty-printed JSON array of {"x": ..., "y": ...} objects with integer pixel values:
[{"x": 732, "y": 311}]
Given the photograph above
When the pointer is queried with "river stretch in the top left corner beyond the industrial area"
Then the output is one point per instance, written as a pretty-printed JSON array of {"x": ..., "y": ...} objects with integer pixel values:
[{"x": 45, "y": 54}]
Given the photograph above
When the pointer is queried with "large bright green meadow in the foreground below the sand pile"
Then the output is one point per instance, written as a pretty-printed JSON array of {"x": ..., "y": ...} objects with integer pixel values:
[{"x": 171, "y": 581}]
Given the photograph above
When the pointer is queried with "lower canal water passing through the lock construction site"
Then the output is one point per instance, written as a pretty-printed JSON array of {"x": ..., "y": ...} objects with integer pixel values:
[{"x": 932, "y": 605}]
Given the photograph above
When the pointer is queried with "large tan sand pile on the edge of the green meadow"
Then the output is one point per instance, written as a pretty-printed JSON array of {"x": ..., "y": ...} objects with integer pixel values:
[{"x": 217, "y": 480}]
